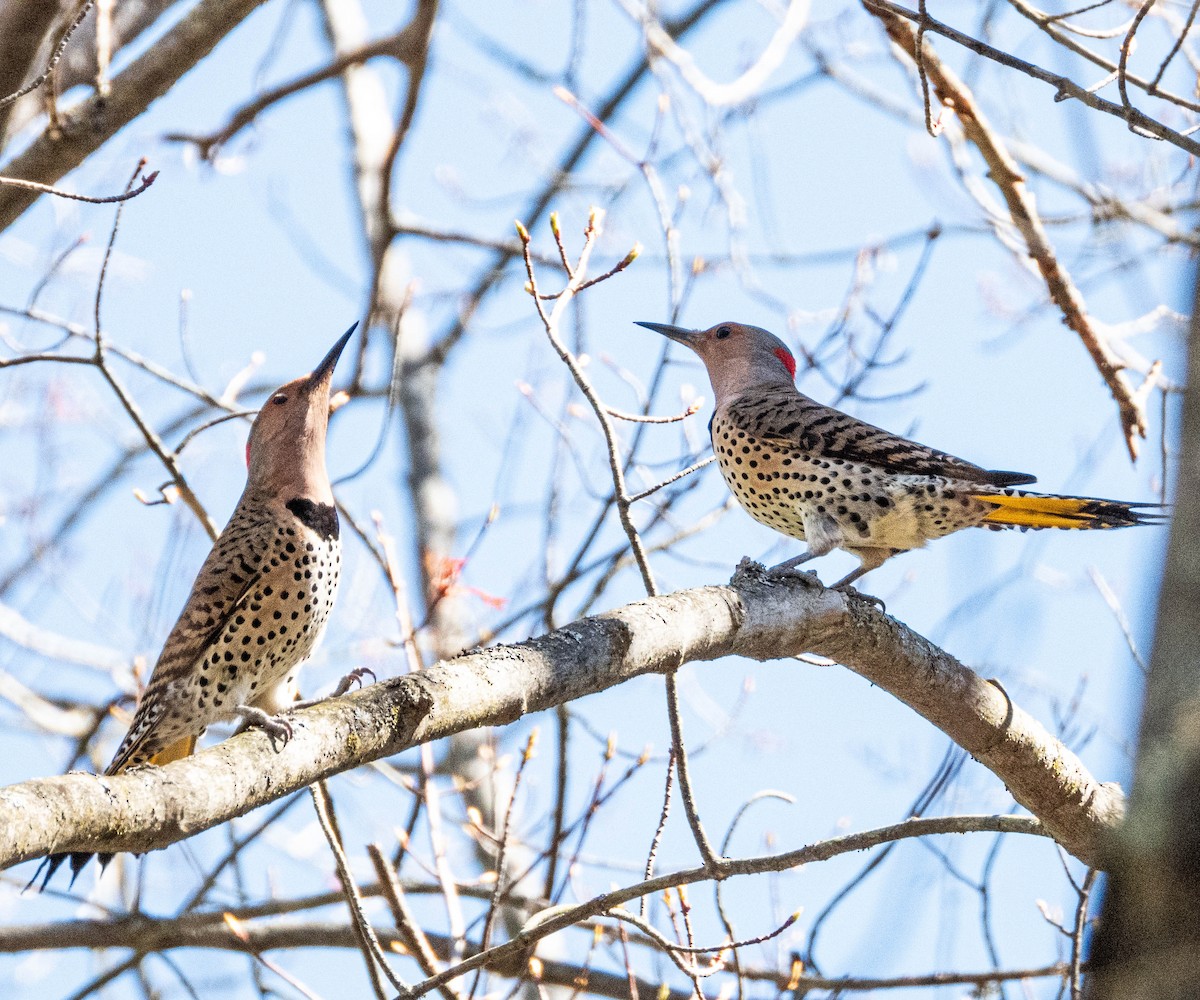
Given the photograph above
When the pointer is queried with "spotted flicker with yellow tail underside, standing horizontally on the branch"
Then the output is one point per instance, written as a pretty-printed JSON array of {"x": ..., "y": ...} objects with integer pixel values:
[{"x": 823, "y": 476}]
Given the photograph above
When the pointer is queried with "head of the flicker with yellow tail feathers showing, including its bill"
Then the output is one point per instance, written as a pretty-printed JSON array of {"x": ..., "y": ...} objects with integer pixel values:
[{"x": 739, "y": 357}]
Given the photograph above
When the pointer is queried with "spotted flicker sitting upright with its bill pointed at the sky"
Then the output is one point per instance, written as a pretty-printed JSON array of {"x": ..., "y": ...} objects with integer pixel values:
[{"x": 261, "y": 600}]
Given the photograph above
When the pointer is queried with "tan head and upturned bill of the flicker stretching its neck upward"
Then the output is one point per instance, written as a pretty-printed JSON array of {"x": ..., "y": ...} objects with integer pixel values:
[{"x": 286, "y": 451}]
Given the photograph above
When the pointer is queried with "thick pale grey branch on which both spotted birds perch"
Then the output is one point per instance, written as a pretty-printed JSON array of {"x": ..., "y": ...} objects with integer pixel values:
[{"x": 754, "y": 616}]
